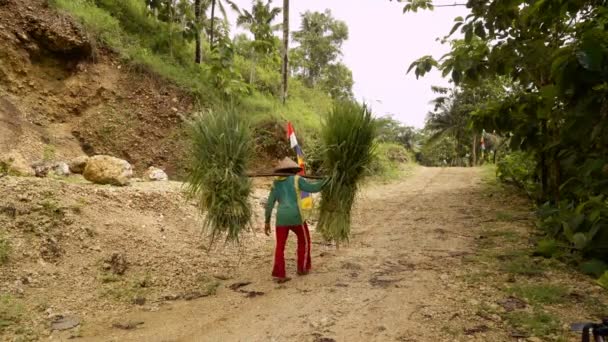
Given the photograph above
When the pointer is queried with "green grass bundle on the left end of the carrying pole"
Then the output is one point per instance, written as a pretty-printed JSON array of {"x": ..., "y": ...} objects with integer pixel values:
[{"x": 221, "y": 149}]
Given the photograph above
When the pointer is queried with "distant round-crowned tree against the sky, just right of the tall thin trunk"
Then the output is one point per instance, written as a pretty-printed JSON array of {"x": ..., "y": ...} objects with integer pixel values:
[{"x": 320, "y": 41}]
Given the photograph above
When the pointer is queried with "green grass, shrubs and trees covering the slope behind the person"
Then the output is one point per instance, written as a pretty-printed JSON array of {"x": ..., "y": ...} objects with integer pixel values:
[{"x": 181, "y": 42}]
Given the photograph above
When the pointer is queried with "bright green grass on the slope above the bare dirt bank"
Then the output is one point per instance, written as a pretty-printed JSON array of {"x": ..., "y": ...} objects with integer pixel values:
[{"x": 126, "y": 28}]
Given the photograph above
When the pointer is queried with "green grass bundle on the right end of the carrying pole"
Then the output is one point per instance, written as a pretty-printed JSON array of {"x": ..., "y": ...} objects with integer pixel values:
[{"x": 348, "y": 136}]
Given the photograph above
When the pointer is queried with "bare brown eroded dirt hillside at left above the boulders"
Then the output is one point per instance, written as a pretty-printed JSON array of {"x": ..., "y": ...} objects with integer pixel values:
[{"x": 61, "y": 96}]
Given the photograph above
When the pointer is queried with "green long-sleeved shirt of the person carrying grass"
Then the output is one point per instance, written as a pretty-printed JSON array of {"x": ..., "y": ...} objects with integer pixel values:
[{"x": 284, "y": 191}]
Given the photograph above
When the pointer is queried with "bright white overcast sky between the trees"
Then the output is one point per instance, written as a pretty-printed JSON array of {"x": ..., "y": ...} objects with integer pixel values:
[{"x": 382, "y": 43}]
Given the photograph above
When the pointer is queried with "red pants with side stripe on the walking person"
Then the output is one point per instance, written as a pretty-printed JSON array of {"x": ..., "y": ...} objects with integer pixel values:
[{"x": 303, "y": 249}]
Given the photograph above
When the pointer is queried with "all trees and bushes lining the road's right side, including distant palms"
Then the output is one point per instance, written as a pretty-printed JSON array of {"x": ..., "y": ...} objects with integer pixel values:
[{"x": 547, "y": 112}]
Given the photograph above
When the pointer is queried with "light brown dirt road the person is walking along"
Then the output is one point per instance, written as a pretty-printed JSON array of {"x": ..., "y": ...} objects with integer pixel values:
[{"x": 395, "y": 282}]
